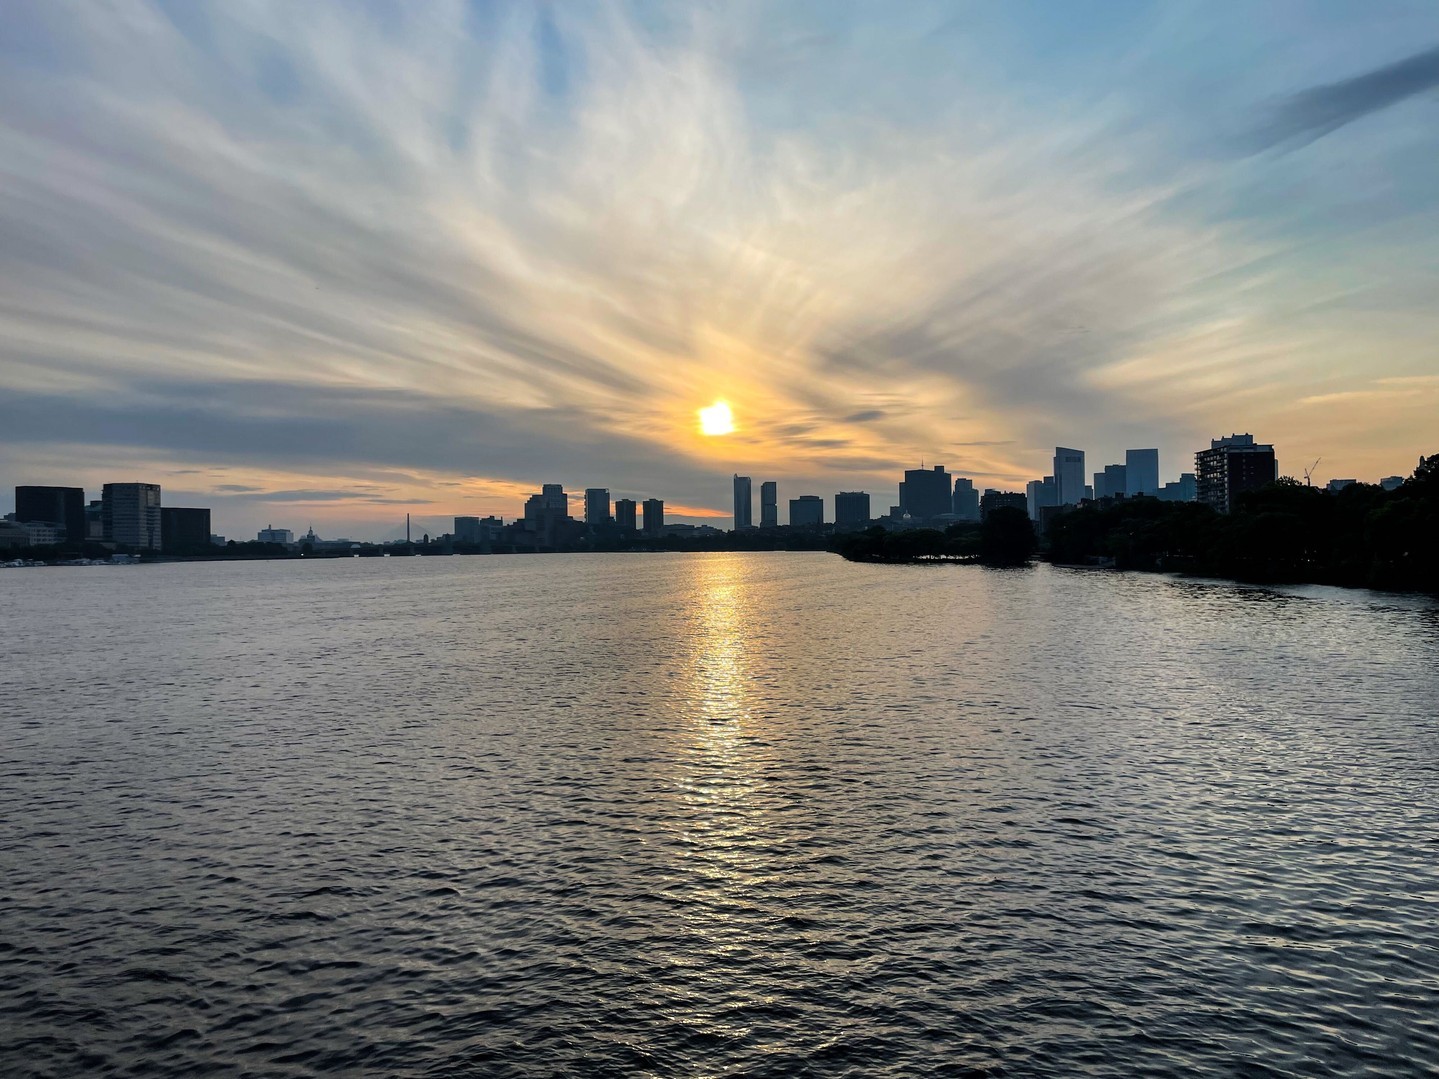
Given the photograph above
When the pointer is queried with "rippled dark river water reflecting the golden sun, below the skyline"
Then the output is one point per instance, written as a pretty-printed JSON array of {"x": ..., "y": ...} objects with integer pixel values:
[{"x": 765, "y": 815}]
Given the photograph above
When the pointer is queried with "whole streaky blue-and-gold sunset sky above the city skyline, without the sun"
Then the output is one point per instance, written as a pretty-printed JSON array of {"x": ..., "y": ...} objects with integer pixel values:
[{"x": 326, "y": 264}]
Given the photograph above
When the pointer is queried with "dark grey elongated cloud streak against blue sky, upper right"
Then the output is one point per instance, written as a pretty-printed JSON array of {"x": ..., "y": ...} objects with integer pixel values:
[{"x": 1319, "y": 111}]
